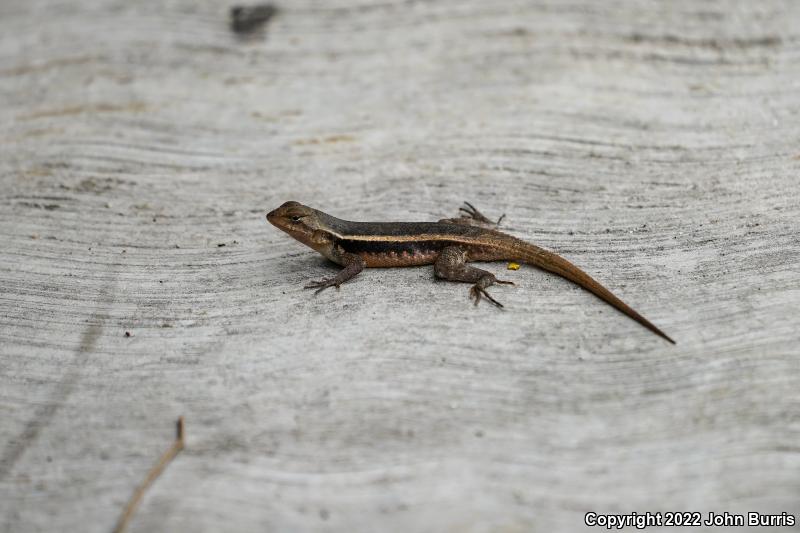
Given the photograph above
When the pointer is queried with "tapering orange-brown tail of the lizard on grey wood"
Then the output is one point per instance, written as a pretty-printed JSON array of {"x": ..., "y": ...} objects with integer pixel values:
[{"x": 539, "y": 257}]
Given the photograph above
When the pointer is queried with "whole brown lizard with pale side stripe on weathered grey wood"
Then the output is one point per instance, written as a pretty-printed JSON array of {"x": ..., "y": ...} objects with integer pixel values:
[{"x": 448, "y": 245}]
